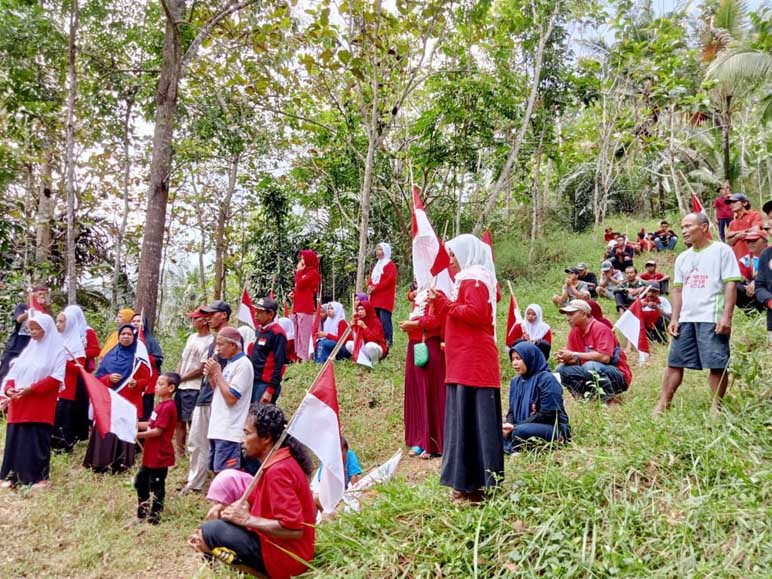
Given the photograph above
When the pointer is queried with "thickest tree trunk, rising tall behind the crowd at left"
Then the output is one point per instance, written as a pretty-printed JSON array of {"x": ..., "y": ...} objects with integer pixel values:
[{"x": 160, "y": 166}]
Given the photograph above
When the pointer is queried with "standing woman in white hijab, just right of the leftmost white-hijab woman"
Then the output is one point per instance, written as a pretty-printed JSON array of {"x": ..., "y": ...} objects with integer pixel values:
[{"x": 72, "y": 406}]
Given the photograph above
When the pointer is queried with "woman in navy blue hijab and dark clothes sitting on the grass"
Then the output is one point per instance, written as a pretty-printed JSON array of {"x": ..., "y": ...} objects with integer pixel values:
[{"x": 535, "y": 401}]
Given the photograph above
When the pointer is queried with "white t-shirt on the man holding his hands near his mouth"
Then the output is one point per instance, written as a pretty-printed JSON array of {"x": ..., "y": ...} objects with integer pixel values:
[{"x": 227, "y": 422}]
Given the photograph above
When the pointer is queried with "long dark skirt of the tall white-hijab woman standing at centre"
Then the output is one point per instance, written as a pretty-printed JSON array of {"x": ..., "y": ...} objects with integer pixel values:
[{"x": 473, "y": 456}]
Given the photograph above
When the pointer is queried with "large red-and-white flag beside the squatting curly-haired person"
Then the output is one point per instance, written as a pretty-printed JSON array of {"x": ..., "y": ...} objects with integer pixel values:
[{"x": 316, "y": 424}]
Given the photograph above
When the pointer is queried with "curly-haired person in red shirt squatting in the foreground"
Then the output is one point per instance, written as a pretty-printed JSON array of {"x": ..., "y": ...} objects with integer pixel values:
[{"x": 273, "y": 533}]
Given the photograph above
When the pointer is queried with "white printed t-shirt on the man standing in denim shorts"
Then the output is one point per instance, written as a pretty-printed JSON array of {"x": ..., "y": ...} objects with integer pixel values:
[{"x": 702, "y": 275}]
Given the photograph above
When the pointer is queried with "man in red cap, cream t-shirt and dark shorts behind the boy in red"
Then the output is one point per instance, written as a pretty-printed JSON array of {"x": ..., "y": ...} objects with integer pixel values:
[{"x": 191, "y": 369}]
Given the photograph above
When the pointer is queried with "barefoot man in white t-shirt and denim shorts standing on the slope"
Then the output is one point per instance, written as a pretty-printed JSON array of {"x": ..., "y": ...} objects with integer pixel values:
[{"x": 704, "y": 294}]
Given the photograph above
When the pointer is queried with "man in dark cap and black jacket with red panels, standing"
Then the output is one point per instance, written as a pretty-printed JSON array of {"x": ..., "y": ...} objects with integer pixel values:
[{"x": 269, "y": 353}]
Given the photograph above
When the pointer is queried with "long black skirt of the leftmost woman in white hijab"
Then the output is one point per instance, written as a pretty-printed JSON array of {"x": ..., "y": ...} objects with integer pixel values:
[{"x": 27, "y": 455}]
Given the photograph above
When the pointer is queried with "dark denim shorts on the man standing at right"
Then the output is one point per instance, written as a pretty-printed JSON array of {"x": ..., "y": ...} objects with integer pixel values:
[{"x": 699, "y": 347}]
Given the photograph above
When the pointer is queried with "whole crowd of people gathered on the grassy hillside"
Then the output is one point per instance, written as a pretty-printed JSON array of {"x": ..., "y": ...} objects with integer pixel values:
[{"x": 219, "y": 406}]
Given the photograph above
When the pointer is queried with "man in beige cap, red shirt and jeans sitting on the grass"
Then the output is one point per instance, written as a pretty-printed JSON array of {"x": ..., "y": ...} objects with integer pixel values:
[{"x": 592, "y": 358}]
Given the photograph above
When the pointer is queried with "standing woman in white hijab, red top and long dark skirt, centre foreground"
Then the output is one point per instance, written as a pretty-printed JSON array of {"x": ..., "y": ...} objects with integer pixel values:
[{"x": 473, "y": 454}]
